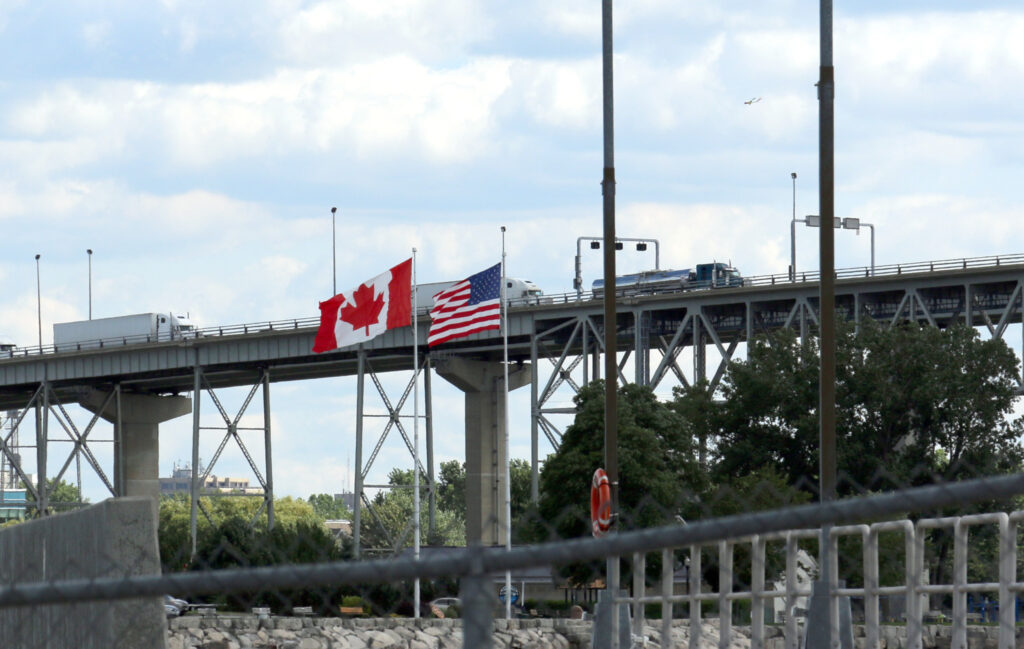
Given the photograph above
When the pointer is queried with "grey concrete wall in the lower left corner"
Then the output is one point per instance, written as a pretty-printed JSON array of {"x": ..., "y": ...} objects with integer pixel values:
[{"x": 115, "y": 539}]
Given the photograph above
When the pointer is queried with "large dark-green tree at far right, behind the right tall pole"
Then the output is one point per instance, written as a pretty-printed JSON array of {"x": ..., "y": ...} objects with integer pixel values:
[{"x": 915, "y": 405}]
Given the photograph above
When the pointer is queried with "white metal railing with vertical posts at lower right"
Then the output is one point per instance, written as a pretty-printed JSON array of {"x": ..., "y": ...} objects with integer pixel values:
[{"x": 914, "y": 588}]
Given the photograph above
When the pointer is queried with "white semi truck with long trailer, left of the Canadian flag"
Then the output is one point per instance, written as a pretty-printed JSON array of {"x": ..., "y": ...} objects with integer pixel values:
[{"x": 122, "y": 330}]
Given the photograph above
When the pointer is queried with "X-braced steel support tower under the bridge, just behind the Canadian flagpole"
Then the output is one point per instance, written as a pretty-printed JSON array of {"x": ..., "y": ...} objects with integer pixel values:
[{"x": 395, "y": 417}]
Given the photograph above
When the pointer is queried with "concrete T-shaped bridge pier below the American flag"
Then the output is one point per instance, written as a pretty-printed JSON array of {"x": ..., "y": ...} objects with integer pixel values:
[{"x": 484, "y": 384}]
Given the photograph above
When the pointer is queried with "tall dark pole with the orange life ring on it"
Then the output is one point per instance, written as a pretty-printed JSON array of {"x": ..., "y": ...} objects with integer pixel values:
[{"x": 611, "y": 356}]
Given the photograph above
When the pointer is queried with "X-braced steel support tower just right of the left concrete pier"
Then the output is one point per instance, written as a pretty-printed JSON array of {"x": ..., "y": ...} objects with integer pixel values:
[{"x": 231, "y": 429}]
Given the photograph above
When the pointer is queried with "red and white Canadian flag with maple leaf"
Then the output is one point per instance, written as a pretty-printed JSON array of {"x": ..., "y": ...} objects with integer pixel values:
[{"x": 367, "y": 312}]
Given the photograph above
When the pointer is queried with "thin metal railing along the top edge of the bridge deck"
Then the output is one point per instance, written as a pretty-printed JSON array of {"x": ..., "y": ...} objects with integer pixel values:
[{"x": 561, "y": 298}]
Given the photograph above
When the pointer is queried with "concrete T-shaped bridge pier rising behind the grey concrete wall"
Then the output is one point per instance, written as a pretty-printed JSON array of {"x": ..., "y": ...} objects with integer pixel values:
[{"x": 137, "y": 463}]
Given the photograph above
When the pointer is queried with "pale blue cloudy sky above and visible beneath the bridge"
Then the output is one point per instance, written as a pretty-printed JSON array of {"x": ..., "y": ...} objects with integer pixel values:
[{"x": 198, "y": 148}]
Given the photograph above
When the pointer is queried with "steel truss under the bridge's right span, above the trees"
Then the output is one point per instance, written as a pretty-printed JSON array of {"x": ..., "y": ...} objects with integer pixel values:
[{"x": 889, "y": 305}]
